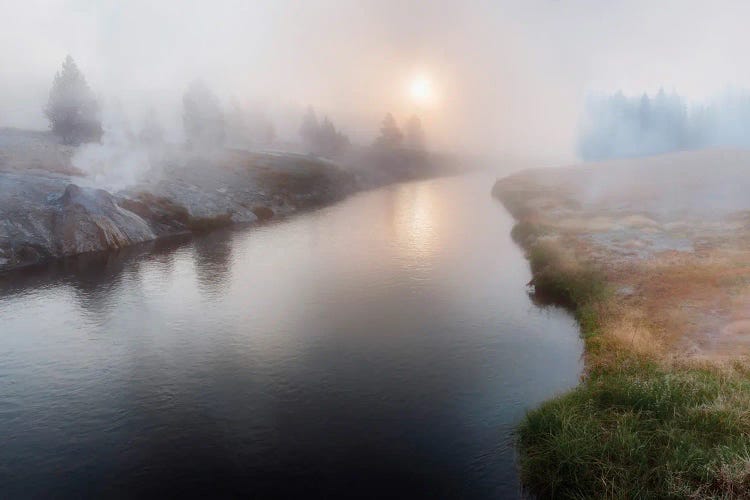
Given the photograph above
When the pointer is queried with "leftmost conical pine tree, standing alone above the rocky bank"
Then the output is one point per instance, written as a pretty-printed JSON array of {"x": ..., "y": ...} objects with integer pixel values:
[{"x": 72, "y": 109}]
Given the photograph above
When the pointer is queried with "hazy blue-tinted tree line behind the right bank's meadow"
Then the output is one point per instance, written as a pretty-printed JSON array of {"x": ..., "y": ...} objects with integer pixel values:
[{"x": 620, "y": 126}]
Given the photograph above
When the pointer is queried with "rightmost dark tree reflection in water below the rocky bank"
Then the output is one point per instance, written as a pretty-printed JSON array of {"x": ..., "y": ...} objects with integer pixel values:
[{"x": 213, "y": 260}]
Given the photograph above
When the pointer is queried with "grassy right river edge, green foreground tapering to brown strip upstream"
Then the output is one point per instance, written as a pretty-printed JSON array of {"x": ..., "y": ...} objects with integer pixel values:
[{"x": 639, "y": 425}]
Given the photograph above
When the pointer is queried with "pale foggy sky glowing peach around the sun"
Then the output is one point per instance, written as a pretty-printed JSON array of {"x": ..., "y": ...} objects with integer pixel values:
[{"x": 510, "y": 76}]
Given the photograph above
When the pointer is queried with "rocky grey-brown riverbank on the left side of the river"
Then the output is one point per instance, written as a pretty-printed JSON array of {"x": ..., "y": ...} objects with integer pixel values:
[{"x": 50, "y": 208}]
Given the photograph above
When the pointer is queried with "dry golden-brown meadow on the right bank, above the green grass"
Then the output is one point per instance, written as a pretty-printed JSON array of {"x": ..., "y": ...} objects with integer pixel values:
[{"x": 688, "y": 304}]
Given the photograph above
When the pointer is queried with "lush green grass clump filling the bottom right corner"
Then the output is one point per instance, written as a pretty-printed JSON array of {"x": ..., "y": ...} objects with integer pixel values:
[{"x": 641, "y": 432}]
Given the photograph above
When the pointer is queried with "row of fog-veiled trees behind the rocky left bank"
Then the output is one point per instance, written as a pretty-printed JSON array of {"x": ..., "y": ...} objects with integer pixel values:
[{"x": 74, "y": 115}]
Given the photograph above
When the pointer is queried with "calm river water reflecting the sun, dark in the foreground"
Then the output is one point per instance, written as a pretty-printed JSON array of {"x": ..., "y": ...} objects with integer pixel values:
[{"x": 382, "y": 346}]
